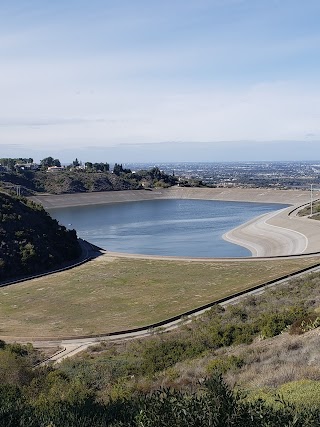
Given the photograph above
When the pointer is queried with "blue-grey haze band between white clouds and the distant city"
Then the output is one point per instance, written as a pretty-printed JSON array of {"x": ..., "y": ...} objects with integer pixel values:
[{"x": 179, "y": 152}]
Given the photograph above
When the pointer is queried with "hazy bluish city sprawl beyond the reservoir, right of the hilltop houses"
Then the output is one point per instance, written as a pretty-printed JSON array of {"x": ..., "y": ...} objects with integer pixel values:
[{"x": 281, "y": 175}]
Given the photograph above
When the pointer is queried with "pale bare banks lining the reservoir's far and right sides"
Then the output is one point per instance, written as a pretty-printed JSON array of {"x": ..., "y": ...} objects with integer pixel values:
[{"x": 274, "y": 234}]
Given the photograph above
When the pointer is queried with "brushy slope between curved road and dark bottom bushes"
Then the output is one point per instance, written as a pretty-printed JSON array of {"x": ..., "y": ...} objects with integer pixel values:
[{"x": 223, "y": 338}]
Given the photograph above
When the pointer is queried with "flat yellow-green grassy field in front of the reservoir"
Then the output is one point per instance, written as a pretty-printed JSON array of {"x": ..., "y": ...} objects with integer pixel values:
[{"x": 111, "y": 294}]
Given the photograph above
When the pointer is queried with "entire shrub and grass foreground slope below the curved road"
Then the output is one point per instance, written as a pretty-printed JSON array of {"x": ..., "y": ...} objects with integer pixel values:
[{"x": 197, "y": 376}]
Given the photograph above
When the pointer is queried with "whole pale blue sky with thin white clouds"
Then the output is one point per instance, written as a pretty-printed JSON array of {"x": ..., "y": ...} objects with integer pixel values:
[{"x": 169, "y": 80}]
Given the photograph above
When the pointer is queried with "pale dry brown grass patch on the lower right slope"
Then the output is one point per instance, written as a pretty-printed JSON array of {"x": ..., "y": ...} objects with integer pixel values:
[{"x": 268, "y": 364}]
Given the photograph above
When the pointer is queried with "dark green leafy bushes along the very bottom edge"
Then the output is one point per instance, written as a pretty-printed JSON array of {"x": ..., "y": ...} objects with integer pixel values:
[{"x": 212, "y": 405}]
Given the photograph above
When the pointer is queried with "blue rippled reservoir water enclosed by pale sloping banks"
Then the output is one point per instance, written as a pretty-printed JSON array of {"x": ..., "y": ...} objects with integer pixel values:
[{"x": 191, "y": 228}]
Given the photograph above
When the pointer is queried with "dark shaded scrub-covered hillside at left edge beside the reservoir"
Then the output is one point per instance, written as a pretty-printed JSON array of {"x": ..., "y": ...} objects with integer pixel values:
[{"x": 30, "y": 240}]
